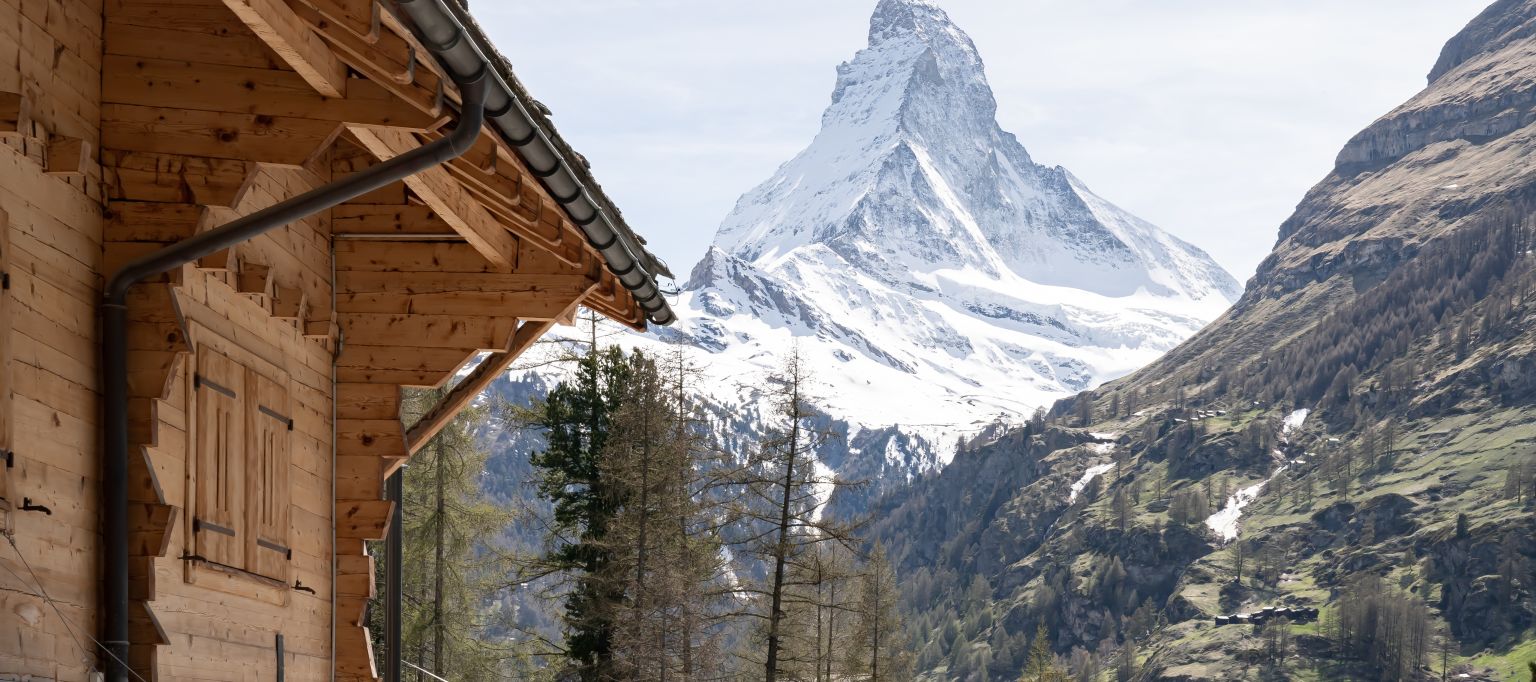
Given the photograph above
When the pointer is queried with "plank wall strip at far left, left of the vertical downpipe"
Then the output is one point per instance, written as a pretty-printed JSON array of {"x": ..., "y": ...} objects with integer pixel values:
[{"x": 51, "y": 250}]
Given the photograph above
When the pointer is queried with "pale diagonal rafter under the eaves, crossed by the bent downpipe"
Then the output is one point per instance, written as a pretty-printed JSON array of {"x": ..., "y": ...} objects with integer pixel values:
[{"x": 440, "y": 191}]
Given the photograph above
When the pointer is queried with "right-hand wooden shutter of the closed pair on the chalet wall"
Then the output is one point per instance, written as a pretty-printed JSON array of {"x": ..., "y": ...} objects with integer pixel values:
[{"x": 268, "y": 474}]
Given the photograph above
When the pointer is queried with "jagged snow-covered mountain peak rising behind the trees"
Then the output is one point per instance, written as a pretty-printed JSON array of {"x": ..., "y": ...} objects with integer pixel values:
[{"x": 933, "y": 274}]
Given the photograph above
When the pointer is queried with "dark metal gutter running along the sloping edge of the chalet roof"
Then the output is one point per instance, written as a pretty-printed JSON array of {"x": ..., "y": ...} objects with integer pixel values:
[{"x": 445, "y": 30}]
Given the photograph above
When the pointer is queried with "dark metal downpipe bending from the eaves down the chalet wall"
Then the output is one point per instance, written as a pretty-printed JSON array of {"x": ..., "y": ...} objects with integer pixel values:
[{"x": 474, "y": 87}]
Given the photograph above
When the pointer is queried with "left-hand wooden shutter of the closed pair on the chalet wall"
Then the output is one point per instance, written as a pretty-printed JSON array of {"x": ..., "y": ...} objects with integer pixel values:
[{"x": 219, "y": 515}]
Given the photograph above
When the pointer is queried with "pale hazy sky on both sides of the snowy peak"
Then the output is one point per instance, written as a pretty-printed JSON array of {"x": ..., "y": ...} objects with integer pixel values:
[{"x": 1208, "y": 118}]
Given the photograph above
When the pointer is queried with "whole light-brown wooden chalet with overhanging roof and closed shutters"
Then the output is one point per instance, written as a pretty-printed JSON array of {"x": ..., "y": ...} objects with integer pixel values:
[{"x": 231, "y": 233}]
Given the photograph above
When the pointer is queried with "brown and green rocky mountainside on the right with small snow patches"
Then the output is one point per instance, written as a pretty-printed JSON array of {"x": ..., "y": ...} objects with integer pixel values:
[{"x": 1354, "y": 432}]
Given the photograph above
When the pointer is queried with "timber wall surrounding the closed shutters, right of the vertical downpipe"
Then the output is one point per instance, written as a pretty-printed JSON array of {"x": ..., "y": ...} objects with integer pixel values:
[{"x": 179, "y": 162}]
